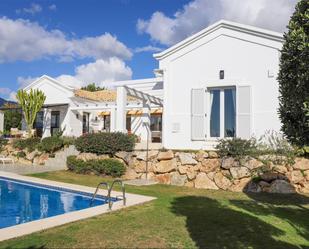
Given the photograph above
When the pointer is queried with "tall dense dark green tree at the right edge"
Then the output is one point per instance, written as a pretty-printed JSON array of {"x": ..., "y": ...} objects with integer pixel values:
[{"x": 294, "y": 76}]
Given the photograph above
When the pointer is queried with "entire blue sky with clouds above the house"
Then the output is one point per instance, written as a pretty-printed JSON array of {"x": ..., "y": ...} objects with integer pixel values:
[{"x": 79, "y": 42}]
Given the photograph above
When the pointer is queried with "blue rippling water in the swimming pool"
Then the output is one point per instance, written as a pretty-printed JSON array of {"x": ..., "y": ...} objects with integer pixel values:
[{"x": 22, "y": 202}]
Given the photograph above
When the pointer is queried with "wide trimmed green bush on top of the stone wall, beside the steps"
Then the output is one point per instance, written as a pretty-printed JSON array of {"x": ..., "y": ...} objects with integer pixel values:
[{"x": 105, "y": 143}]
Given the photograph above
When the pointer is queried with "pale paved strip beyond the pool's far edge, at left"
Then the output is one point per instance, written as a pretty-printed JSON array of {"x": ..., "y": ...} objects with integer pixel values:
[{"x": 28, "y": 169}]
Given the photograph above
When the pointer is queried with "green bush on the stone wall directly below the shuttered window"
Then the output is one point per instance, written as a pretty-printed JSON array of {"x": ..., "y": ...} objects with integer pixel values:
[{"x": 236, "y": 147}]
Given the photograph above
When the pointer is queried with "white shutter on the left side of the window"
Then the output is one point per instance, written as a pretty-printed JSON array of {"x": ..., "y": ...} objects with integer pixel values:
[{"x": 198, "y": 114}]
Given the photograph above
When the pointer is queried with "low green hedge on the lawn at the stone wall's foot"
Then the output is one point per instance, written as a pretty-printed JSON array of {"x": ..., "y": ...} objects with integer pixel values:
[{"x": 110, "y": 167}]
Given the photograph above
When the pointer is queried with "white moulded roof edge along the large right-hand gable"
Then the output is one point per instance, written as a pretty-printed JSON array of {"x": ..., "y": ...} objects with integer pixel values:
[{"x": 268, "y": 34}]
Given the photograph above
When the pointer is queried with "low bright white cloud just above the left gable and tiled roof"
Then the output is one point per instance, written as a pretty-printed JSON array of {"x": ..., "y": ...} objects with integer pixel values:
[{"x": 100, "y": 72}]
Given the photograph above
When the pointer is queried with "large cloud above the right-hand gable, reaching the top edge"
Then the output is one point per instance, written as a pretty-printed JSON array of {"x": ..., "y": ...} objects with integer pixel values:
[{"x": 198, "y": 14}]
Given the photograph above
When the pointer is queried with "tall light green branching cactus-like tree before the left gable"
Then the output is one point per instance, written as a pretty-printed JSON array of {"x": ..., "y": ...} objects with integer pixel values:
[{"x": 31, "y": 103}]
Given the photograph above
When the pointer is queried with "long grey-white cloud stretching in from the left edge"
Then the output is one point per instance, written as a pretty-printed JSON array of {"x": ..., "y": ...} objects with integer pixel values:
[{"x": 36, "y": 42}]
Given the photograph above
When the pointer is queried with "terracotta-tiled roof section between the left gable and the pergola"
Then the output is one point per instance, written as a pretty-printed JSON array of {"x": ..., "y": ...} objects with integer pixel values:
[{"x": 103, "y": 95}]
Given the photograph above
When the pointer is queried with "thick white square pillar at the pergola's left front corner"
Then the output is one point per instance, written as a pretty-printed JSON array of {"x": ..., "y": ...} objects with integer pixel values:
[{"x": 121, "y": 109}]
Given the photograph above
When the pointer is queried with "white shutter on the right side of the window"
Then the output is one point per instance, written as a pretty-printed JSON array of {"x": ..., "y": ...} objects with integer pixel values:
[{"x": 244, "y": 112}]
